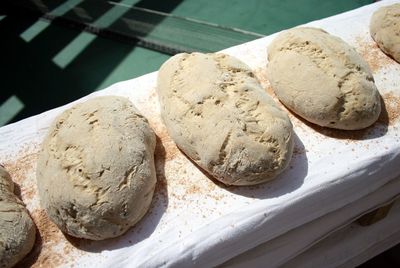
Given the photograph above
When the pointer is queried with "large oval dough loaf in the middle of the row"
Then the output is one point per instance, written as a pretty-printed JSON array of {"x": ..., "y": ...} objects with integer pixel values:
[{"x": 221, "y": 117}]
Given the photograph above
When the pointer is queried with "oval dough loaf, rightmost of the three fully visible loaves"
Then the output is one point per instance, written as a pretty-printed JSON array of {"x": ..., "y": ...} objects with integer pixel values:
[{"x": 322, "y": 79}]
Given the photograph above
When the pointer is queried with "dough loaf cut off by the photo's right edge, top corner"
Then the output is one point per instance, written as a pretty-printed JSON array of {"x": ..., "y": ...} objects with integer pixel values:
[{"x": 385, "y": 30}]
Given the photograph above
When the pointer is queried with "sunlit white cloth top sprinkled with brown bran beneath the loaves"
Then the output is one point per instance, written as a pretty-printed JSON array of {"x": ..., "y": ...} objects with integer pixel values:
[{"x": 194, "y": 221}]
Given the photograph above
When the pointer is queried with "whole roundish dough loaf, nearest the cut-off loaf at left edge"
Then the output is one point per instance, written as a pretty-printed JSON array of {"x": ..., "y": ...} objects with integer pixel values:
[{"x": 95, "y": 173}]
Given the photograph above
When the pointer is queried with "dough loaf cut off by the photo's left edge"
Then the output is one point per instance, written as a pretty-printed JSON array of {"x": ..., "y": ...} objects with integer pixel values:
[{"x": 17, "y": 230}]
